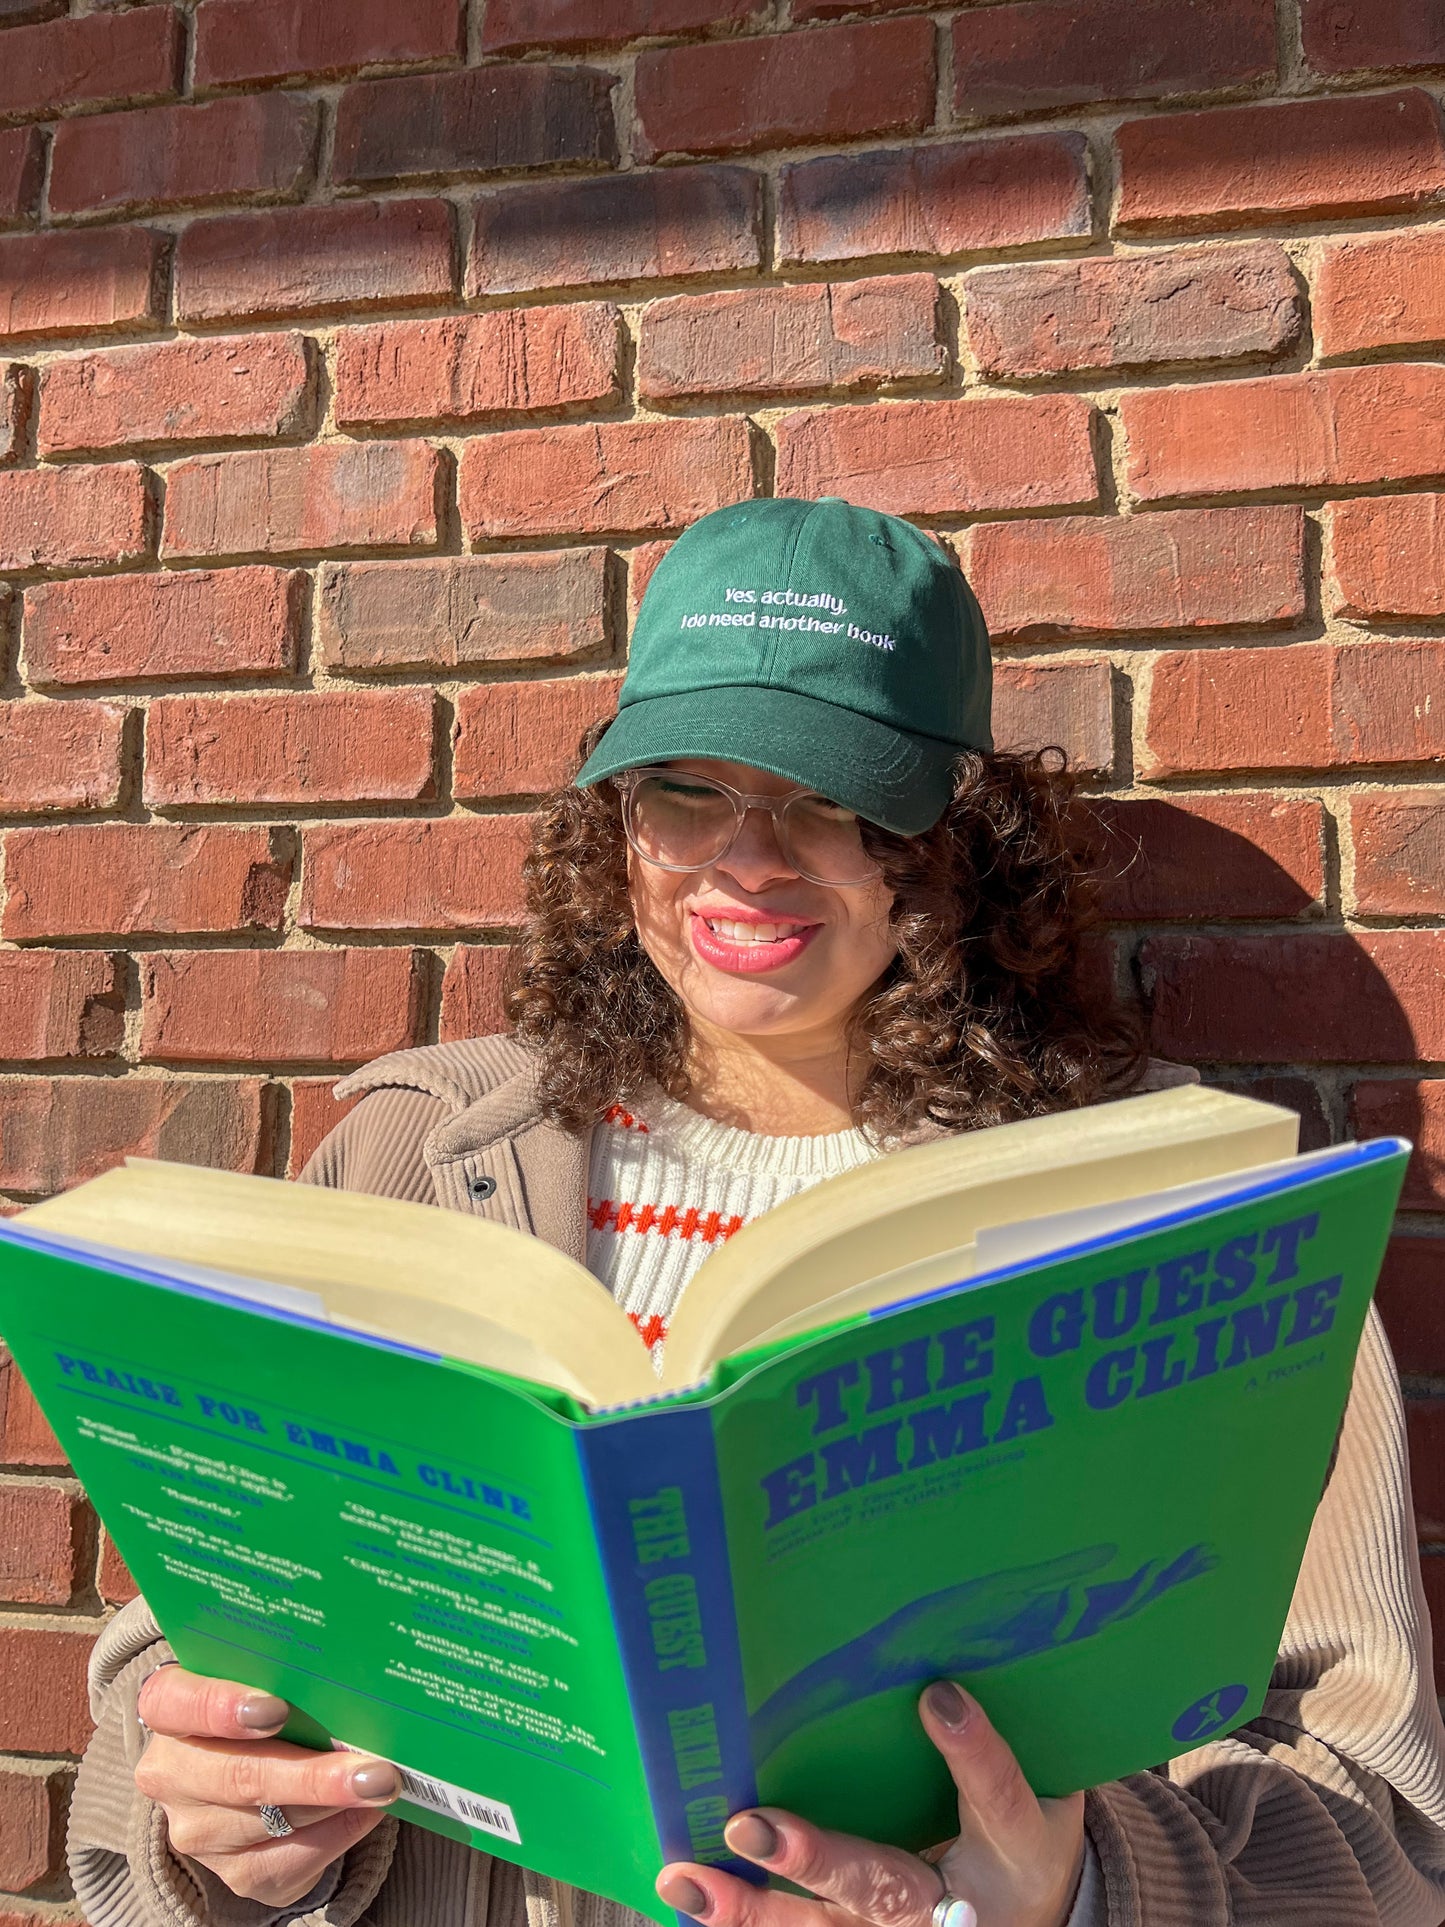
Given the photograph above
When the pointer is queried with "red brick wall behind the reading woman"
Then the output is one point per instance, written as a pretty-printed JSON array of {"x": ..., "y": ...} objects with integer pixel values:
[{"x": 359, "y": 359}]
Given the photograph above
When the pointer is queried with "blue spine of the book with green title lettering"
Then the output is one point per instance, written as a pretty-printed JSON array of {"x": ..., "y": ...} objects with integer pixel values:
[{"x": 658, "y": 1514}]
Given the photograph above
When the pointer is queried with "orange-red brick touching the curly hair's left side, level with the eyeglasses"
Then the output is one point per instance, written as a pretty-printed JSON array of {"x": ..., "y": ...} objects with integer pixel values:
[{"x": 452, "y": 874}]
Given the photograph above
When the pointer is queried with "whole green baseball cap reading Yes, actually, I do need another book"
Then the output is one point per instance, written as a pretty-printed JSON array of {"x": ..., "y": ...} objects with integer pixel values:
[{"x": 829, "y": 645}]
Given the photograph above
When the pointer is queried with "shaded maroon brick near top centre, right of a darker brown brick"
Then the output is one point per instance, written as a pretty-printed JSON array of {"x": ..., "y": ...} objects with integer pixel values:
[{"x": 835, "y": 84}]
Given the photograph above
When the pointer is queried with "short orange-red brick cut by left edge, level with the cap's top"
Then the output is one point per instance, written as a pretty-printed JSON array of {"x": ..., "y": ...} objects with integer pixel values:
[{"x": 72, "y": 517}]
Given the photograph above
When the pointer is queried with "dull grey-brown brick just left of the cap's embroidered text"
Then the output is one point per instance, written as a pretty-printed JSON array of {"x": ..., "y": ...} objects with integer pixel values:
[{"x": 469, "y": 610}]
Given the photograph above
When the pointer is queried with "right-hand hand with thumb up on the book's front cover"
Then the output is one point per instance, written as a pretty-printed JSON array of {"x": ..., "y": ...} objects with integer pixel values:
[{"x": 1016, "y": 1859}]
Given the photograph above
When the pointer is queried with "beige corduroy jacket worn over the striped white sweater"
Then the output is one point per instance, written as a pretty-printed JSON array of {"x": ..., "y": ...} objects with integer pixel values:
[{"x": 1328, "y": 1810}]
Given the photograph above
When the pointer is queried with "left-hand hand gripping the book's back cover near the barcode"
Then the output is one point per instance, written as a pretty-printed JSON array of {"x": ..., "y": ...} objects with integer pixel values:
[{"x": 213, "y": 1762}]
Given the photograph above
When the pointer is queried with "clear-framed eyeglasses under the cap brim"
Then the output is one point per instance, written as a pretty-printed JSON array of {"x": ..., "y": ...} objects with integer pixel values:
[{"x": 683, "y": 822}]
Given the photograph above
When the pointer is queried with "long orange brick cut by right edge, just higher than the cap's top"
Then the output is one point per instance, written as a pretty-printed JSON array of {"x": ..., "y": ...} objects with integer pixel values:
[{"x": 1336, "y": 429}]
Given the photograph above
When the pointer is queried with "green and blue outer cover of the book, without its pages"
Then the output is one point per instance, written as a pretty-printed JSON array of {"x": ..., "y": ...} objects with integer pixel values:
[{"x": 1080, "y": 1483}]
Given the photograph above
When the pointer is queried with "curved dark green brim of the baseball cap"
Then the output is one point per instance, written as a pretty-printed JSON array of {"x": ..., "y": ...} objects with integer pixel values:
[{"x": 887, "y": 776}]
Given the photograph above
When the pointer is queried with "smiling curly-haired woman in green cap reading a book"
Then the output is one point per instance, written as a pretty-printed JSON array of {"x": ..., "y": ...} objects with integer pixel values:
[{"x": 795, "y": 912}]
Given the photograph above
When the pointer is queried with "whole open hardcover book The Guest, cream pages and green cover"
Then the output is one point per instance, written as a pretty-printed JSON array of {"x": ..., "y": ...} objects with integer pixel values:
[{"x": 1045, "y": 1410}]
